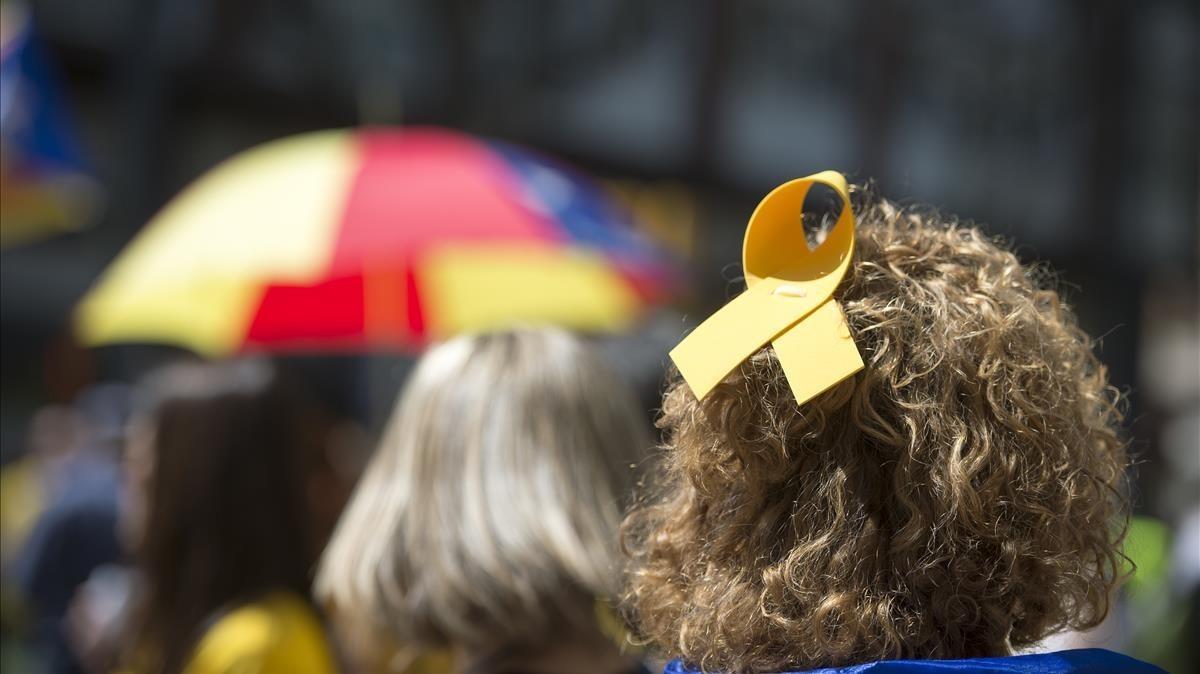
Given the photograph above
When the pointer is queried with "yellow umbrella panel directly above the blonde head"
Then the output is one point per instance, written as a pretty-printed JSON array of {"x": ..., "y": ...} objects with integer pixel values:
[{"x": 473, "y": 290}]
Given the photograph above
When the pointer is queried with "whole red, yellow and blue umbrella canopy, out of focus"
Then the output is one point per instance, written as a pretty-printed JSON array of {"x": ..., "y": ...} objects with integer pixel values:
[{"x": 380, "y": 238}]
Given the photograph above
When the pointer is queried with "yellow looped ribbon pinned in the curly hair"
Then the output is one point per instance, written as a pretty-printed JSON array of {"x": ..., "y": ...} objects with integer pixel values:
[{"x": 789, "y": 300}]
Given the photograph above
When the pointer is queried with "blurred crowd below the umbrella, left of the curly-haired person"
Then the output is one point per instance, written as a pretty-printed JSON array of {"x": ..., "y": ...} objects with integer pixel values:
[{"x": 175, "y": 526}]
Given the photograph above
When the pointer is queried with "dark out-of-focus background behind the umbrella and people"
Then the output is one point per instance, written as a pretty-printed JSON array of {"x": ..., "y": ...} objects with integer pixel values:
[{"x": 1067, "y": 127}]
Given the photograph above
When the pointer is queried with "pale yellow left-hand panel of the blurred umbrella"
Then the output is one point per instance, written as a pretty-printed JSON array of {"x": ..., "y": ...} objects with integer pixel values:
[{"x": 196, "y": 274}]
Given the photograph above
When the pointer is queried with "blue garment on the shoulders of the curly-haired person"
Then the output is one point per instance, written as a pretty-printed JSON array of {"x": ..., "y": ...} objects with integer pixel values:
[{"x": 1084, "y": 661}]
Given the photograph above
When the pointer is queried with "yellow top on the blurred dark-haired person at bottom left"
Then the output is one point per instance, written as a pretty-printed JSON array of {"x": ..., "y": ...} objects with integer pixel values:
[{"x": 277, "y": 636}]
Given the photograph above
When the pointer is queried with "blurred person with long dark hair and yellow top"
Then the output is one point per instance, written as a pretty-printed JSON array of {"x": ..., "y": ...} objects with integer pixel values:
[{"x": 219, "y": 468}]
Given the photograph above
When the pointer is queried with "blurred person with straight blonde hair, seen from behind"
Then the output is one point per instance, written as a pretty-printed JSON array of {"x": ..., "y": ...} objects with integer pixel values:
[{"x": 485, "y": 527}]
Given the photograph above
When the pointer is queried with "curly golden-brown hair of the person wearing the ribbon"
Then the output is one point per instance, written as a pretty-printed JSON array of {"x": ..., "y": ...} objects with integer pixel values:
[{"x": 961, "y": 497}]
